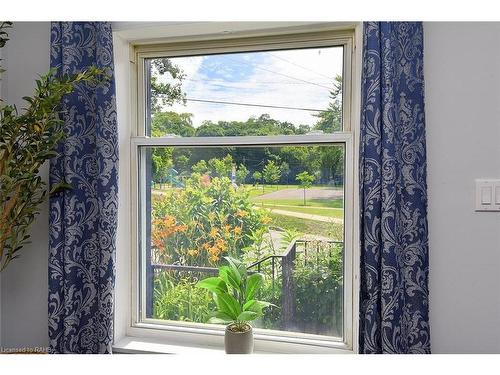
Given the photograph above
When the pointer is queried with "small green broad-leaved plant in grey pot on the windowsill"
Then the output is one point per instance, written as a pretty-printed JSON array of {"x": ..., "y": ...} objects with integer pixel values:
[{"x": 234, "y": 292}]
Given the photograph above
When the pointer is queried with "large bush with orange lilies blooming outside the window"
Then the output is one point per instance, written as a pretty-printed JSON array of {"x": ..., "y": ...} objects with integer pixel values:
[{"x": 206, "y": 220}]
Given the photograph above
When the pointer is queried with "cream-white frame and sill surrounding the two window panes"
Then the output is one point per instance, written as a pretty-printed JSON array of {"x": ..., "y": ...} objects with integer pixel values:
[{"x": 181, "y": 334}]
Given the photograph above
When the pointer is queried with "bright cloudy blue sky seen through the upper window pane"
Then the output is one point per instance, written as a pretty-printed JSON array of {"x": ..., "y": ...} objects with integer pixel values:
[{"x": 291, "y": 78}]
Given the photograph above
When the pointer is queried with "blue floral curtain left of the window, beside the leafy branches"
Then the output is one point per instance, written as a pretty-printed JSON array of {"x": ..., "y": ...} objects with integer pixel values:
[{"x": 83, "y": 219}]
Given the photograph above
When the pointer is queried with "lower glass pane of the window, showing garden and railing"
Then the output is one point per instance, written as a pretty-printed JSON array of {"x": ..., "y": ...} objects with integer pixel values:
[{"x": 280, "y": 210}]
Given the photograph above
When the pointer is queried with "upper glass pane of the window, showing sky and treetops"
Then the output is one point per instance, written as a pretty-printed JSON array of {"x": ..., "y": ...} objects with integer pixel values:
[{"x": 285, "y": 92}]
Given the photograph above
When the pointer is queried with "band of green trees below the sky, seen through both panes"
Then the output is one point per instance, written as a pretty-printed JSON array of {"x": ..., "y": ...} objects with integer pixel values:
[{"x": 322, "y": 161}]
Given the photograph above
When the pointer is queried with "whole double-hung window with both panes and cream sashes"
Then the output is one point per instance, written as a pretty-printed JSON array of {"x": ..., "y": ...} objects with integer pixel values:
[{"x": 244, "y": 149}]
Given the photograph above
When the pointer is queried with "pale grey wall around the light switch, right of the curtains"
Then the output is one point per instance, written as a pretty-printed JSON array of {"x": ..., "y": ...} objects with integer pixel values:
[{"x": 462, "y": 77}]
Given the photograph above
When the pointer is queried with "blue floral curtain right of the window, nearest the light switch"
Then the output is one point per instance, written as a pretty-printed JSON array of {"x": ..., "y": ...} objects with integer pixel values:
[{"x": 394, "y": 308}]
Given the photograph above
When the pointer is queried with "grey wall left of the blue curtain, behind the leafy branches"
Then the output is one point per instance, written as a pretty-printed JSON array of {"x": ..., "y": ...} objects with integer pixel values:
[{"x": 24, "y": 285}]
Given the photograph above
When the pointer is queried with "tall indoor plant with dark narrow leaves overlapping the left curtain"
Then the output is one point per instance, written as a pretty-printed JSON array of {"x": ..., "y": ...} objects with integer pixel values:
[{"x": 27, "y": 140}]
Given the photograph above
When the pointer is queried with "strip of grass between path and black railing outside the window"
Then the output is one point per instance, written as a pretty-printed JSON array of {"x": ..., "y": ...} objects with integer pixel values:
[{"x": 331, "y": 230}]
